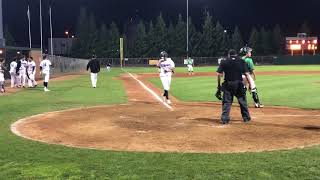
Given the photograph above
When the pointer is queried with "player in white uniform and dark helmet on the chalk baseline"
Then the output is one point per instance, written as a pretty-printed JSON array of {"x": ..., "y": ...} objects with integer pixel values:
[{"x": 166, "y": 68}]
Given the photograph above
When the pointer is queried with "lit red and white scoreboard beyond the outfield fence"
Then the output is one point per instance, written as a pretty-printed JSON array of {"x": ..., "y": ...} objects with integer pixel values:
[{"x": 302, "y": 44}]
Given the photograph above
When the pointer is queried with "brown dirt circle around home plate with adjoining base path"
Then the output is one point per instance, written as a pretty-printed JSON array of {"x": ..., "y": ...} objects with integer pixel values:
[{"x": 145, "y": 124}]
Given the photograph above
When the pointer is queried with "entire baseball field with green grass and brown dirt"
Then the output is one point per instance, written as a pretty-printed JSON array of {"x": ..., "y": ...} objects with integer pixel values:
[{"x": 122, "y": 131}]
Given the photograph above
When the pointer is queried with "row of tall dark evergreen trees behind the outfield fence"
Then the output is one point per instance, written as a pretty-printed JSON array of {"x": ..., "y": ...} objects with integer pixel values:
[{"x": 149, "y": 38}]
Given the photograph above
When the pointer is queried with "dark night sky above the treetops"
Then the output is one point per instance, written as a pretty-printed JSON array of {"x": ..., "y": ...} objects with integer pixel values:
[{"x": 290, "y": 14}]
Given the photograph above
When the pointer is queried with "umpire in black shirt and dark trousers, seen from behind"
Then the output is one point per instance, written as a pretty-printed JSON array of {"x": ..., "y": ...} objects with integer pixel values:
[{"x": 233, "y": 68}]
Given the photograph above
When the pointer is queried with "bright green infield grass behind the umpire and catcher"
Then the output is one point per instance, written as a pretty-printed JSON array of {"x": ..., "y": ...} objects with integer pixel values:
[{"x": 293, "y": 91}]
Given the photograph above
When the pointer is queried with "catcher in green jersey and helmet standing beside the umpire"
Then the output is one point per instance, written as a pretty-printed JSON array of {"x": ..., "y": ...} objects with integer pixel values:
[{"x": 247, "y": 57}]
